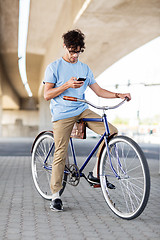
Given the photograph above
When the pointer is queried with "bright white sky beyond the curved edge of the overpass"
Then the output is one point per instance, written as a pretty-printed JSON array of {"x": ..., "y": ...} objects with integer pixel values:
[{"x": 140, "y": 67}]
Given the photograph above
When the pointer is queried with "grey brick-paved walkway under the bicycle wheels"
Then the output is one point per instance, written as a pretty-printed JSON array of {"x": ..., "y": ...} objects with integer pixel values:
[{"x": 24, "y": 214}]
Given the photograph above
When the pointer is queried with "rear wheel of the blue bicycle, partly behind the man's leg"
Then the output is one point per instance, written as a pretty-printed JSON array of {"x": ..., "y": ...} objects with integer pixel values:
[{"x": 41, "y": 172}]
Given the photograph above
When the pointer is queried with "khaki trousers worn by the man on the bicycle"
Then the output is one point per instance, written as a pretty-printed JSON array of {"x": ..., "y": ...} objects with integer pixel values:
[{"x": 62, "y": 130}]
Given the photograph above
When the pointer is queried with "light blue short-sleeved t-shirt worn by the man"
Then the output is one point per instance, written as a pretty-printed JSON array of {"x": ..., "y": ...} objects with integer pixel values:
[{"x": 59, "y": 72}]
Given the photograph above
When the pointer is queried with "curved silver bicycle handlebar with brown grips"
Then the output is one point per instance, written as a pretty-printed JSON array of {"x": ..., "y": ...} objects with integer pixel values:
[{"x": 98, "y": 107}]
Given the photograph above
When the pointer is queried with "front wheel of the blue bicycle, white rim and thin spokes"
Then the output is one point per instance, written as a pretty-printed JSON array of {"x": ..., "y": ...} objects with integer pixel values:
[{"x": 126, "y": 168}]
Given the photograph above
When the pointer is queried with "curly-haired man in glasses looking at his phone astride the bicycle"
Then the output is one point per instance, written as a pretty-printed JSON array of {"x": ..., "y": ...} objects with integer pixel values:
[{"x": 61, "y": 80}]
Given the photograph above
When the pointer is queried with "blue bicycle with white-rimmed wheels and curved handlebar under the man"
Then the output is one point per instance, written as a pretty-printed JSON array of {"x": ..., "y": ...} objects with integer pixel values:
[{"x": 121, "y": 163}]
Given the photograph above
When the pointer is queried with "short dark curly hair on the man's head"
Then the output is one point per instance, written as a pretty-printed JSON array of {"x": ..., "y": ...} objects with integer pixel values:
[{"x": 73, "y": 39}]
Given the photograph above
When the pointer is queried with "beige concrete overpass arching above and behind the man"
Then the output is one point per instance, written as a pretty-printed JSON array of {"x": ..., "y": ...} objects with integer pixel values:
[{"x": 112, "y": 28}]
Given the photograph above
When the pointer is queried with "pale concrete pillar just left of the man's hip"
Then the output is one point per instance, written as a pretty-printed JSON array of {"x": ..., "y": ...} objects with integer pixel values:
[{"x": 45, "y": 122}]
